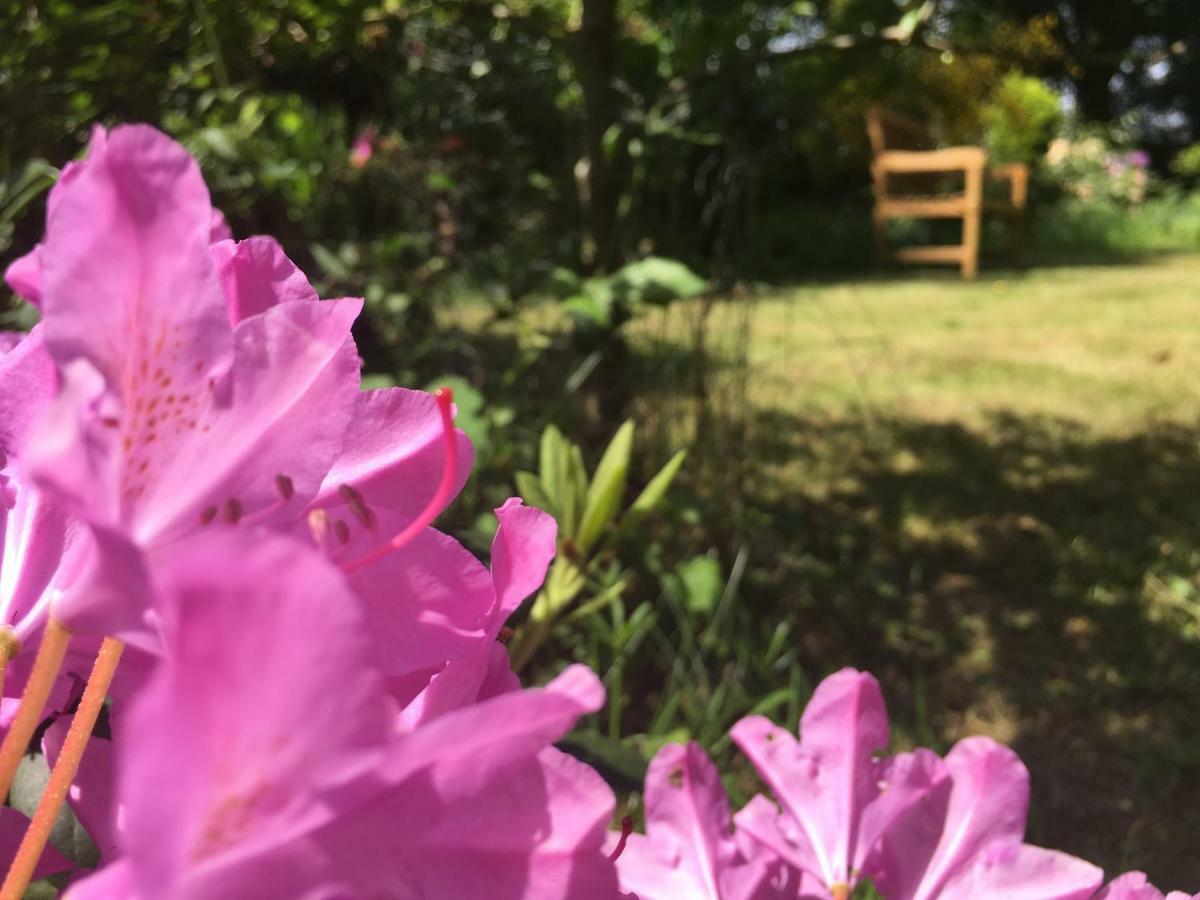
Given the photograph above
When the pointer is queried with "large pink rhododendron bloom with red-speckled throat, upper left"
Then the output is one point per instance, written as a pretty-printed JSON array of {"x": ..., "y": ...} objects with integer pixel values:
[{"x": 202, "y": 385}]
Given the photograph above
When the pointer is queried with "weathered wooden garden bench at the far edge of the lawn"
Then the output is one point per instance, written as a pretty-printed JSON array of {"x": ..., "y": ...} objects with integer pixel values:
[{"x": 910, "y": 177}]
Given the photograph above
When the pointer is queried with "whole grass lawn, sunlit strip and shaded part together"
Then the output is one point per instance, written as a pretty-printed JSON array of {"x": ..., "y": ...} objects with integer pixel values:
[{"x": 988, "y": 494}]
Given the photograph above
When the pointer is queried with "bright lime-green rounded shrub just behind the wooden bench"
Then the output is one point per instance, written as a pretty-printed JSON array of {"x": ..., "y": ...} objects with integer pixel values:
[{"x": 1021, "y": 118}]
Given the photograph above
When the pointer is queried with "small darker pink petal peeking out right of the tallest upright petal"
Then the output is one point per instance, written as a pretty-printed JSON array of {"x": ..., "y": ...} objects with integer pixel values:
[{"x": 256, "y": 275}]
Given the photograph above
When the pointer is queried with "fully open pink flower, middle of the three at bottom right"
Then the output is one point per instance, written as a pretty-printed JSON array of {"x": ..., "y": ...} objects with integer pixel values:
[{"x": 839, "y": 801}]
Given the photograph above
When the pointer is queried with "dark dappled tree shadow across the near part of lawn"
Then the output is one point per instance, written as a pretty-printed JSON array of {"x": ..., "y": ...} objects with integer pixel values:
[{"x": 1028, "y": 580}]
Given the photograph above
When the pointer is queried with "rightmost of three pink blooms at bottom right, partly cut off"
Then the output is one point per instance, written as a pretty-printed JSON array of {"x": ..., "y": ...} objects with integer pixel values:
[{"x": 971, "y": 843}]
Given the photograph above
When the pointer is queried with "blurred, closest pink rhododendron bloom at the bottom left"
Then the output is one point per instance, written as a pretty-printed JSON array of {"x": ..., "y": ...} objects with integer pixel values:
[{"x": 269, "y": 760}]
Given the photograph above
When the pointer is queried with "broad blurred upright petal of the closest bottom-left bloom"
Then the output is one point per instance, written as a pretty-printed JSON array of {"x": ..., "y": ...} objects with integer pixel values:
[{"x": 265, "y": 704}]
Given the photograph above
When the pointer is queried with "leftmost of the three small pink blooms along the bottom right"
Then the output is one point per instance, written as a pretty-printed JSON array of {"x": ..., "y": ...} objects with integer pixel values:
[{"x": 691, "y": 850}]
